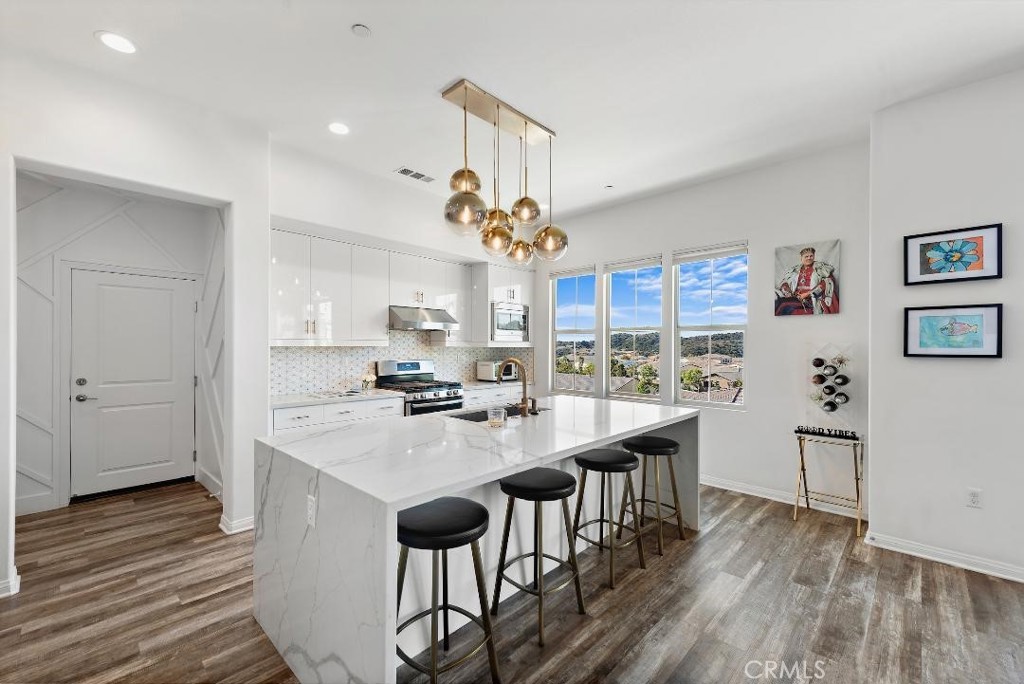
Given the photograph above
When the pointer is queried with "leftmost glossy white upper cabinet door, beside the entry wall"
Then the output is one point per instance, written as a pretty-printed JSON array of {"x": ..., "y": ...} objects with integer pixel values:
[{"x": 290, "y": 316}]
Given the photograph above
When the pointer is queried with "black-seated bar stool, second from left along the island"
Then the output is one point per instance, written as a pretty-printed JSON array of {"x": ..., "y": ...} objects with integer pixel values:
[{"x": 539, "y": 486}]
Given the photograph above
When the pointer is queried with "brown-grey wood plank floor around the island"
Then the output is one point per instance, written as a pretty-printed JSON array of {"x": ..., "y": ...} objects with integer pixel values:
[{"x": 145, "y": 588}]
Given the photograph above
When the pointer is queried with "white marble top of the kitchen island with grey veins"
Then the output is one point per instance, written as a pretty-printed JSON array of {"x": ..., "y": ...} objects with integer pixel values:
[{"x": 406, "y": 461}]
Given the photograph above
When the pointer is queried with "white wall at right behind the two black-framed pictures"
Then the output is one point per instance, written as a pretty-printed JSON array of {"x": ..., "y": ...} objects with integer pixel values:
[{"x": 942, "y": 425}]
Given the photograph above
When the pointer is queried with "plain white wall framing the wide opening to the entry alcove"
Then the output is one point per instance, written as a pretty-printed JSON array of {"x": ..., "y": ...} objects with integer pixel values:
[{"x": 70, "y": 123}]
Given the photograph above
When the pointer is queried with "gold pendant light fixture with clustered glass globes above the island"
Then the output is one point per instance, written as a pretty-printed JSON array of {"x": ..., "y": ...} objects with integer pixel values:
[{"x": 466, "y": 212}]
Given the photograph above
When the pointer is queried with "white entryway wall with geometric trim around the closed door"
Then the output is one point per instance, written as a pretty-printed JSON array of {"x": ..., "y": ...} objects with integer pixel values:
[{"x": 62, "y": 222}]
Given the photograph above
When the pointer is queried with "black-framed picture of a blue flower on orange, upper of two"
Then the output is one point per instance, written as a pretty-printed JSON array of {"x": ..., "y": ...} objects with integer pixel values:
[{"x": 964, "y": 254}]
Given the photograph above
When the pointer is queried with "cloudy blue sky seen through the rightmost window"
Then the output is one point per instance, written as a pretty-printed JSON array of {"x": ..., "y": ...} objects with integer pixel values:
[{"x": 713, "y": 292}]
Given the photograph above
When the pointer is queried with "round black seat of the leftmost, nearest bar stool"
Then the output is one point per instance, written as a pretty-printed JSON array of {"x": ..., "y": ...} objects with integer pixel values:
[{"x": 444, "y": 524}]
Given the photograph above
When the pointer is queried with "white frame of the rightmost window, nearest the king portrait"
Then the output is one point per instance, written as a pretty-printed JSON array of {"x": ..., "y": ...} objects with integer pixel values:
[{"x": 694, "y": 256}]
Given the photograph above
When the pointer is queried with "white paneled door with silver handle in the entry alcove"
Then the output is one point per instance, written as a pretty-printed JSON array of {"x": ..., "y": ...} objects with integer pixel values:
[{"x": 133, "y": 397}]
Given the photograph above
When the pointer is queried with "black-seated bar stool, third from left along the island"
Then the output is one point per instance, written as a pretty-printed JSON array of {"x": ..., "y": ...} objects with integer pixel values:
[{"x": 608, "y": 462}]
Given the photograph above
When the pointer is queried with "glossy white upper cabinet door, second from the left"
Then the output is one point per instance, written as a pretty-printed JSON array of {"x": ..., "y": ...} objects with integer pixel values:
[{"x": 331, "y": 290}]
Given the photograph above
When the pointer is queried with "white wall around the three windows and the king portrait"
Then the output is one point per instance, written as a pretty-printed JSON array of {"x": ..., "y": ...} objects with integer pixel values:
[{"x": 813, "y": 199}]
